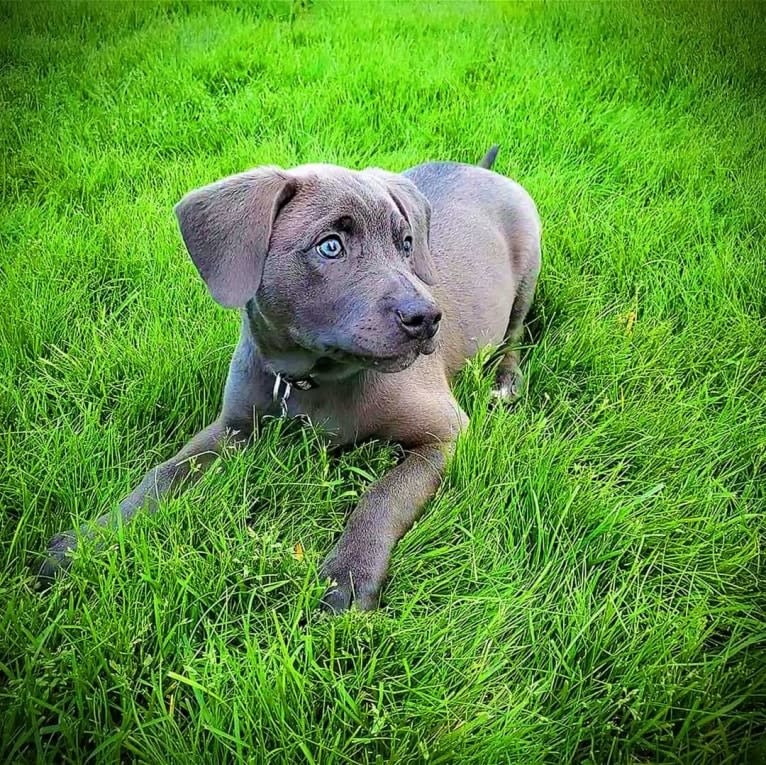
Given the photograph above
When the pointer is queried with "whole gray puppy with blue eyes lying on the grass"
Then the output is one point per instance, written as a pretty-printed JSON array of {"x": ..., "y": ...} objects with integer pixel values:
[{"x": 362, "y": 293}]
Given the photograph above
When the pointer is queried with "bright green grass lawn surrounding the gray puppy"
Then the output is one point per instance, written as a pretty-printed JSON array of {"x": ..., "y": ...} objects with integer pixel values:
[{"x": 587, "y": 586}]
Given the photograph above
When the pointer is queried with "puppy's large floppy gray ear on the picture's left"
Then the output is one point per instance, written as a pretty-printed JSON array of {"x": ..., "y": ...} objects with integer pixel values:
[{"x": 226, "y": 227}]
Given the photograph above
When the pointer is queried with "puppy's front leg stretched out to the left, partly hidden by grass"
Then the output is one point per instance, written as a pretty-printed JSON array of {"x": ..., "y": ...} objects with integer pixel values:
[{"x": 177, "y": 472}]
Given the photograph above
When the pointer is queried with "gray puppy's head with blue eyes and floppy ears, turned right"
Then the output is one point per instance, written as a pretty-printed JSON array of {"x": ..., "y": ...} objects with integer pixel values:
[{"x": 331, "y": 262}]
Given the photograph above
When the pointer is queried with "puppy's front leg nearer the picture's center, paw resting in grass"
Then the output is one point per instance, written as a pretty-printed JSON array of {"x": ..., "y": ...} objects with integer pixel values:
[{"x": 358, "y": 564}]
